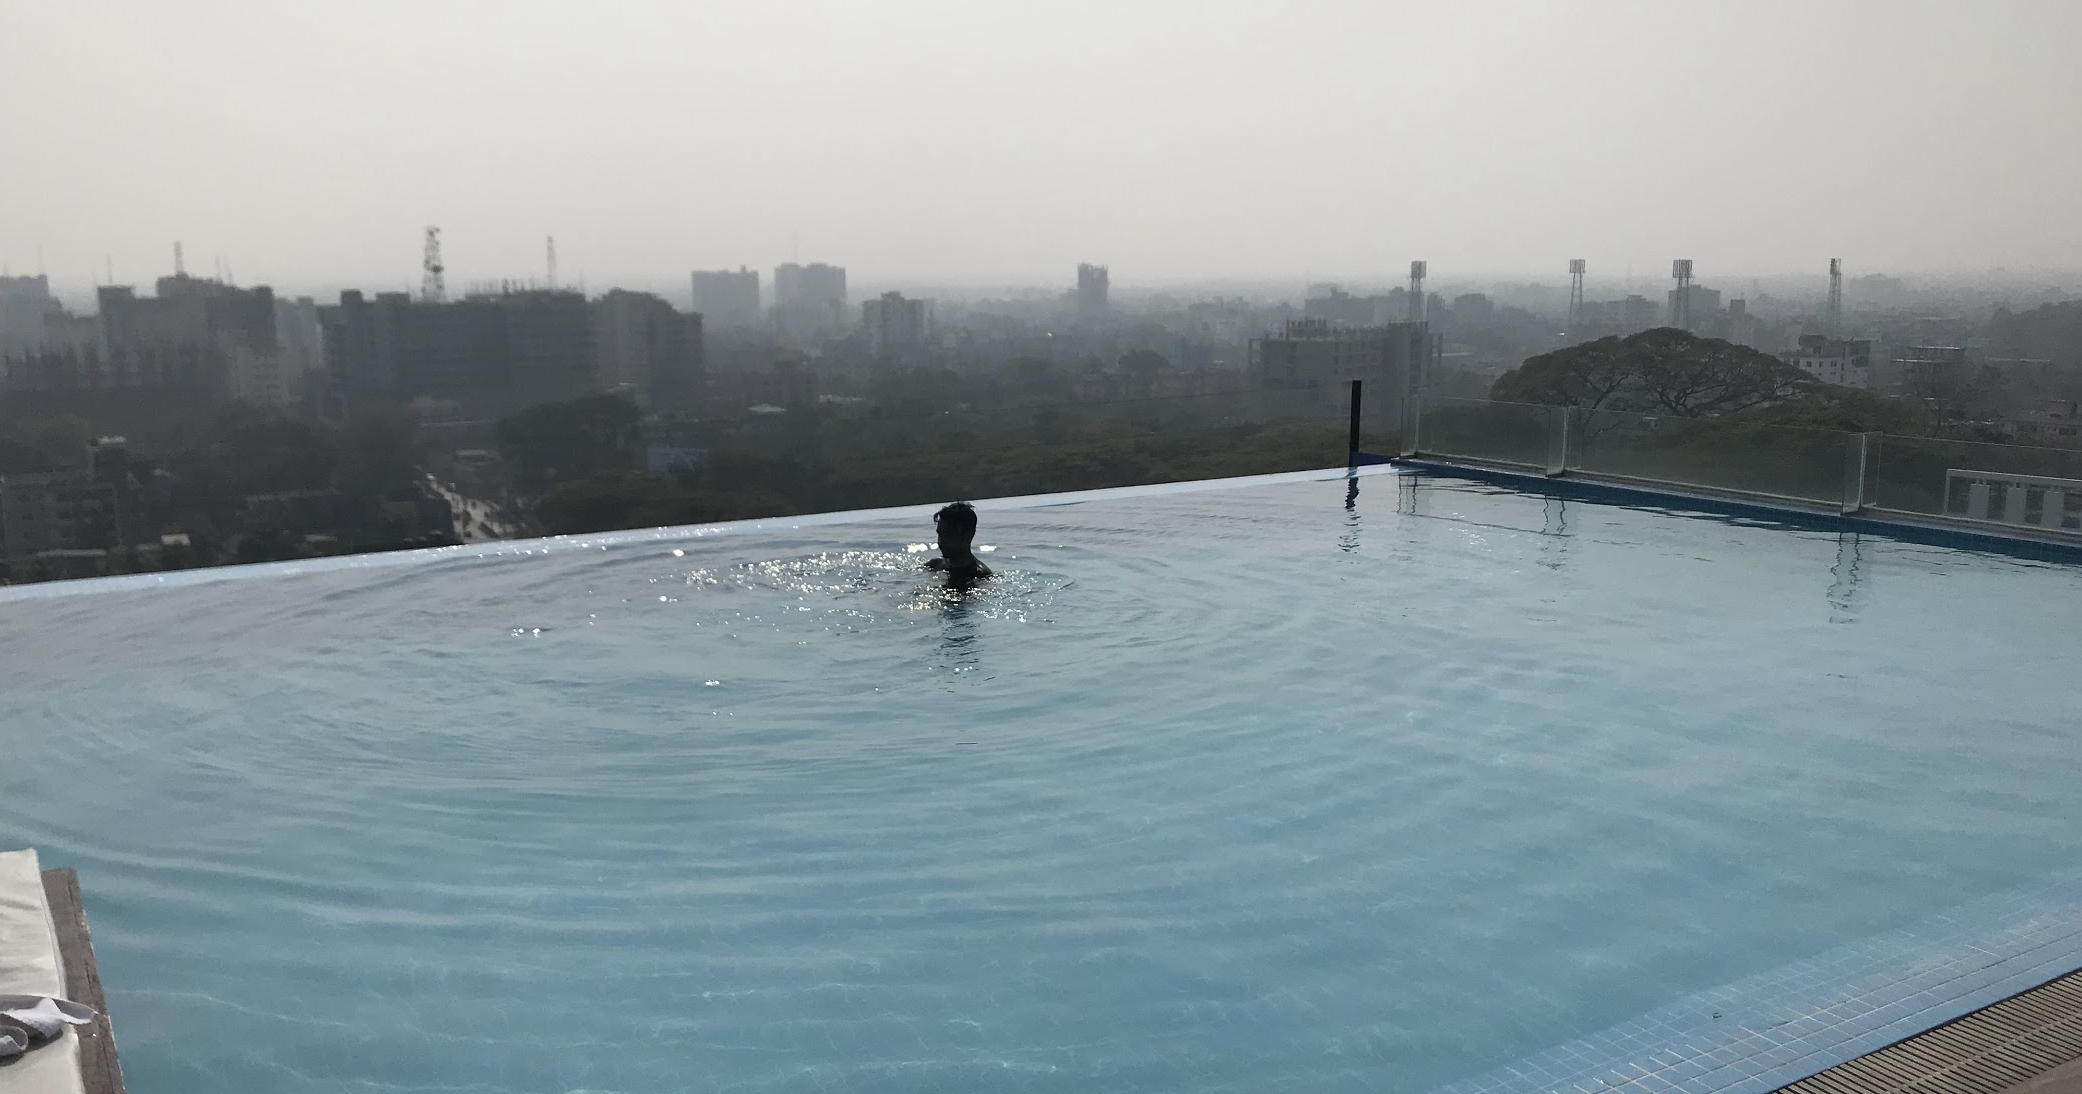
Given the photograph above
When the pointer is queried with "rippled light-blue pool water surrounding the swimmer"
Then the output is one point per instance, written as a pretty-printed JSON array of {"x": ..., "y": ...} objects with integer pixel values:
[{"x": 1246, "y": 789}]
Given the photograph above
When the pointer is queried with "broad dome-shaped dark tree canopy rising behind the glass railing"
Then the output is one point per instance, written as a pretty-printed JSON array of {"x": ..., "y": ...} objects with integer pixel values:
[{"x": 1662, "y": 372}]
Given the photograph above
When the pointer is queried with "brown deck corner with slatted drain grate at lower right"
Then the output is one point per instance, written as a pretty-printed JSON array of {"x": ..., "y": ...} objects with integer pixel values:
[{"x": 2029, "y": 1043}]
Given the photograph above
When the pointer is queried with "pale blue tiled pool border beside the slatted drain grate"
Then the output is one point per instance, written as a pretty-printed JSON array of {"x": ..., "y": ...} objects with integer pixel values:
[{"x": 1777, "y": 1028}]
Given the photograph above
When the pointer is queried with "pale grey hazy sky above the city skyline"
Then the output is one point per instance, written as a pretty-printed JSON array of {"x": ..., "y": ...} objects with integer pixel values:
[{"x": 1009, "y": 141}]
